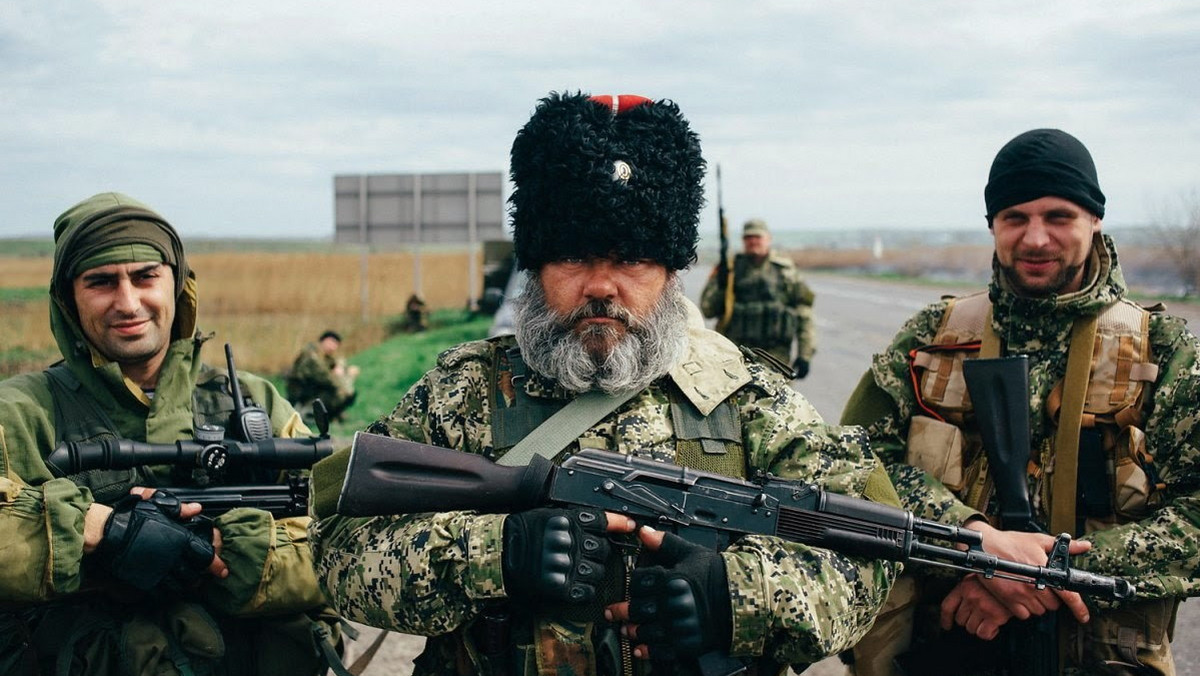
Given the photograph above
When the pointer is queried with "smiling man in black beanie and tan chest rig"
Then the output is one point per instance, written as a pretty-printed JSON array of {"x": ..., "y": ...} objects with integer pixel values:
[{"x": 1058, "y": 296}]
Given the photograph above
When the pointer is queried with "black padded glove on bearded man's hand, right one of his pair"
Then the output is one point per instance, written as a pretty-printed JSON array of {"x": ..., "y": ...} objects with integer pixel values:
[{"x": 682, "y": 608}]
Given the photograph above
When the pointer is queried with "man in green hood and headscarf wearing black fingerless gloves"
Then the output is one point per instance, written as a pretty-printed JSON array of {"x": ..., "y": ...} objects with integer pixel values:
[{"x": 93, "y": 579}]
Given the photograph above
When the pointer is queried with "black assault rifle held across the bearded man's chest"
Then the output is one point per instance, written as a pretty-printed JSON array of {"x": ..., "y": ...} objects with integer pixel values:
[{"x": 388, "y": 476}]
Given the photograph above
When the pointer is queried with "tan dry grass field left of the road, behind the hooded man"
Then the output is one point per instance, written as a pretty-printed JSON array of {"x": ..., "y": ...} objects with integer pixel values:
[{"x": 267, "y": 306}]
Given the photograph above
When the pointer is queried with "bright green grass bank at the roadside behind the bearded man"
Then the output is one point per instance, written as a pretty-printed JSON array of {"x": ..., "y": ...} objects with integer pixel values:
[{"x": 389, "y": 369}]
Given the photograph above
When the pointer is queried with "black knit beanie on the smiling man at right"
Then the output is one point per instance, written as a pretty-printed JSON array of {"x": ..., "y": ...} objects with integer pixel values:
[{"x": 1043, "y": 164}]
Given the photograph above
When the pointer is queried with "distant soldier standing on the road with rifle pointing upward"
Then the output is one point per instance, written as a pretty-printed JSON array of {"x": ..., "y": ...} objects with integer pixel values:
[{"x": 772, "y": 304}]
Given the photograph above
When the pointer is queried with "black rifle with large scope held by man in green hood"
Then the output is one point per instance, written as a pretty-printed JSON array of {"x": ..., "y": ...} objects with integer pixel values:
[{"x": 217, "y": 456}]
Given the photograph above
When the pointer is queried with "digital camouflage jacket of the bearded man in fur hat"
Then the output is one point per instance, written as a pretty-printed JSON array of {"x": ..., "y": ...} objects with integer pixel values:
[{"x": 435, "y": 575}]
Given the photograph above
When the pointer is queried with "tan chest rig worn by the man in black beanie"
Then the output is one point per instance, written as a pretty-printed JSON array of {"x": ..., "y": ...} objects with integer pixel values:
[{"x": 1115, "y": 476}]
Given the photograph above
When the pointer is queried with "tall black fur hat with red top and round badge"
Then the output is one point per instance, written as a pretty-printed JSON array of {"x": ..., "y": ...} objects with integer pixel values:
[{"x": 608, "y": 176}]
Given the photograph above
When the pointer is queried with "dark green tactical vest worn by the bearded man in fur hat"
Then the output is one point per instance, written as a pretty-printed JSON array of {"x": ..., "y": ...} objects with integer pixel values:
[{"x": 711, "y": 444}]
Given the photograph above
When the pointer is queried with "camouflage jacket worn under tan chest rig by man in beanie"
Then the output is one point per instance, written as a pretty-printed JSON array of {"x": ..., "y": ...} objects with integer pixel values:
[{"x": 1160, "y": 554}]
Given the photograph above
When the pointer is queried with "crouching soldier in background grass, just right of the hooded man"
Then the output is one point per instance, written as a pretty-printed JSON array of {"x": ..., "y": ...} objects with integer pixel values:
[{"x": 320, "y": 373}]
